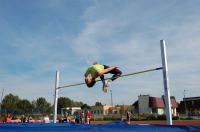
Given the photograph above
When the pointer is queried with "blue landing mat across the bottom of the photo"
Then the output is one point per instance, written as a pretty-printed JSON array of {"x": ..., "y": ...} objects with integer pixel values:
[{"x": 110, "y": 127}]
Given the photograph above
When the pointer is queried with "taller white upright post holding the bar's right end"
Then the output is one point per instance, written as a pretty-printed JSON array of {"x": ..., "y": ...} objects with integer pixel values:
[{"x": 166, "y": 83}]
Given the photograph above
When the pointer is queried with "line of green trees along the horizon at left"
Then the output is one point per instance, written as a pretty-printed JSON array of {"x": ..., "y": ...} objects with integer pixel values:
[{"x": 15, "y": 105}]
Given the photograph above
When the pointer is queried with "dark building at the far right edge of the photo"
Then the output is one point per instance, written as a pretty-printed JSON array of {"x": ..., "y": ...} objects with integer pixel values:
[{"x": 190, "y": 106}]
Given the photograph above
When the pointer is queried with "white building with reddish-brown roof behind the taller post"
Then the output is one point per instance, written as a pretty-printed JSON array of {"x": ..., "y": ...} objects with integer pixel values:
[{"x": 154, "y": 105}]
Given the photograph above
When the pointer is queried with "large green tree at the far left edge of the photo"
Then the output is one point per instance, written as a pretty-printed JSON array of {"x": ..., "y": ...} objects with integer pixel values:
[{"x": 9, "y": 103}]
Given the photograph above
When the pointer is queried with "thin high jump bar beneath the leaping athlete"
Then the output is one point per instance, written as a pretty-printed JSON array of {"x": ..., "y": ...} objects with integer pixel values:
[{"x": 123, "y": 75}]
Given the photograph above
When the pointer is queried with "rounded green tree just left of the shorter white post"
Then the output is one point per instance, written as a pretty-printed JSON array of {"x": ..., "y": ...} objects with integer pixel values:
[{"x": 43, "y": 106}]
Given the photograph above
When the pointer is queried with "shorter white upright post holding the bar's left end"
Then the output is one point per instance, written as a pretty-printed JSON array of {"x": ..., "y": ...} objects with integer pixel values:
[{"x": 56, "y": 97}]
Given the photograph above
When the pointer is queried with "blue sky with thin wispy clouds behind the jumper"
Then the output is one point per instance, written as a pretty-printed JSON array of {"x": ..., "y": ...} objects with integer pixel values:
[{"x": 38, "y": 37}]
